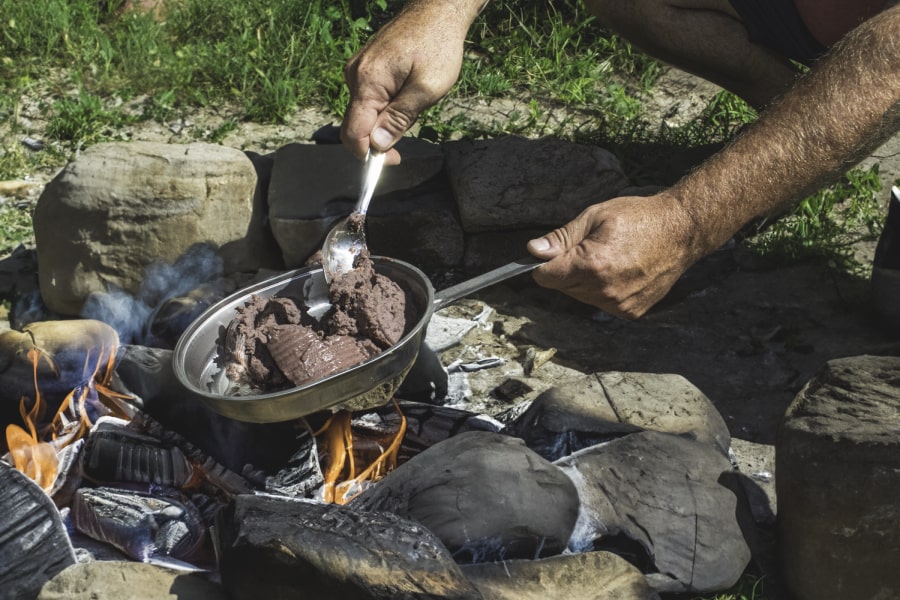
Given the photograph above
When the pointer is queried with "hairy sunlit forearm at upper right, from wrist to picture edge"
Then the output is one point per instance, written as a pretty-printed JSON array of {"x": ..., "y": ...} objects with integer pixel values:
[{"x": 832, "y": 118}]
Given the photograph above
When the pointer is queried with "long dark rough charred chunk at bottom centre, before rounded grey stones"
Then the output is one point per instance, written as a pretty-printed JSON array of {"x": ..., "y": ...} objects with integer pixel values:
[{"x": 270, "y": 547}]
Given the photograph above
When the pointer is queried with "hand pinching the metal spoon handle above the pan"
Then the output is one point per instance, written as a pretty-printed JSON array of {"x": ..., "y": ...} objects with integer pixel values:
[{"x": 406, "y": 67}]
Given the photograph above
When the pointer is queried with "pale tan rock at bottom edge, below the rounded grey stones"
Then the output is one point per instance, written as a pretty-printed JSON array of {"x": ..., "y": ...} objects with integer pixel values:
[{"x": 585, "y": 576}]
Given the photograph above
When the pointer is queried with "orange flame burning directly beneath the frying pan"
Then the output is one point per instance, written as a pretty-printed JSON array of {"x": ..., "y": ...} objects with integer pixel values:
[{"x": 342, "y": 483}]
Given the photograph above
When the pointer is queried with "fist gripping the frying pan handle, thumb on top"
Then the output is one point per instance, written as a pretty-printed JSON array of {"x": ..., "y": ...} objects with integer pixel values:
[{"x": 622, "y": 255}]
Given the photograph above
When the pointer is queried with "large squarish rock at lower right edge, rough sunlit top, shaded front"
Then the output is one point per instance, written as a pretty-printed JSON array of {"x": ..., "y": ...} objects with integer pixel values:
[{"x": 838, "y": 484}]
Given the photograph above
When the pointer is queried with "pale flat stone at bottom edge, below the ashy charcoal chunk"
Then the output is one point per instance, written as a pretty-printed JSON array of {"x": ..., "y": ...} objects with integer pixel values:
[{"x": 122, "y": 580}]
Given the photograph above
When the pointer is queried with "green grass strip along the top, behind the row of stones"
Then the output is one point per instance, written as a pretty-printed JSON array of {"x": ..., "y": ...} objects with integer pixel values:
[{"x": 268, "y": 58}]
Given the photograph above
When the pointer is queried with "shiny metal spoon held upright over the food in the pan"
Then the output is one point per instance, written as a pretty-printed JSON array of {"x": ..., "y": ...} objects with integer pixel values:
[{"x": 348, "y": 239}]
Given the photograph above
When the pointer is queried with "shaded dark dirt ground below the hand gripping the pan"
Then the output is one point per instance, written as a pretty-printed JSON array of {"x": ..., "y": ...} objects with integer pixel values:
[{"x": 748, "y": 338}]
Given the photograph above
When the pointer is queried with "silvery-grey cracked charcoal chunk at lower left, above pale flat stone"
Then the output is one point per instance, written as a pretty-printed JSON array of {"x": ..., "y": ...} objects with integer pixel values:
[{"x": 139, "y": 524}]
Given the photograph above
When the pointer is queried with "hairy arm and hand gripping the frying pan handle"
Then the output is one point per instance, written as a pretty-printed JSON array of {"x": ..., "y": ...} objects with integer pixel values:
[{"x": 623, "y": 255}]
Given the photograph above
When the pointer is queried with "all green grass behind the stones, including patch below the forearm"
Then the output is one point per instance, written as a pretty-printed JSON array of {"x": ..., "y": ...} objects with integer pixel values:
[{"x": 97, "y": 69}]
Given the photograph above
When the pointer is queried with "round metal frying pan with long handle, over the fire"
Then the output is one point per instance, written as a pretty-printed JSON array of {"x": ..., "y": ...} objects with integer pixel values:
[{"x": 367, "y": 385}]
